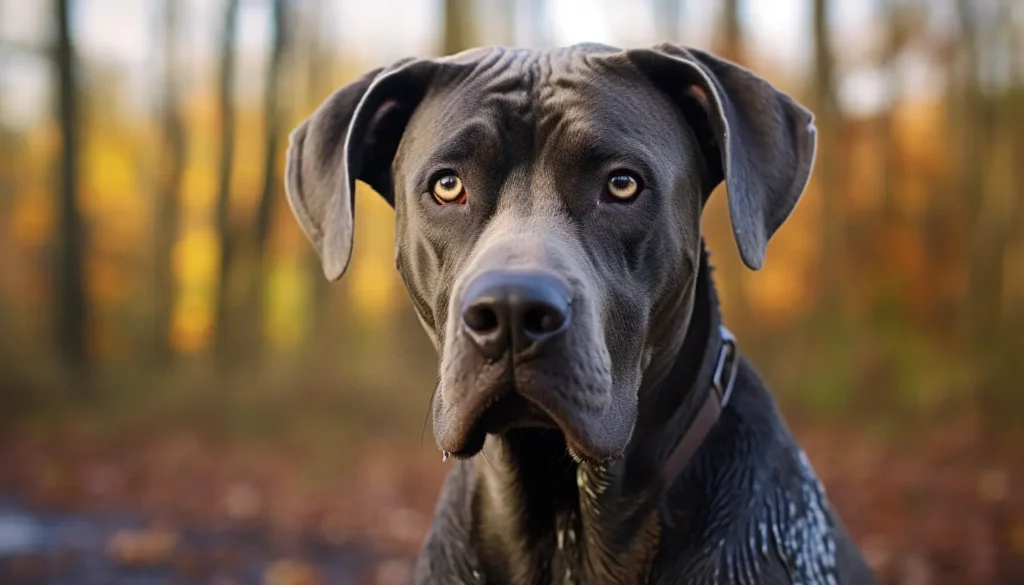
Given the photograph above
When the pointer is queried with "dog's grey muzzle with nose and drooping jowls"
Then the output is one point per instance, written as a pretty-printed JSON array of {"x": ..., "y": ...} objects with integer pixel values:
[{"x": 526, "y": 350}]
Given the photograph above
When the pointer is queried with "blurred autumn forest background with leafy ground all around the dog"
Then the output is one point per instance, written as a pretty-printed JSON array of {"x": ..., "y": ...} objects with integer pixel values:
[{"x": 172, "y": 353}]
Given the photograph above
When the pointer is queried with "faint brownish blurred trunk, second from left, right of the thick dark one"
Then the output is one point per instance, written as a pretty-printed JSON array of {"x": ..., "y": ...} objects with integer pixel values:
[{"x": 168, "y": 205}]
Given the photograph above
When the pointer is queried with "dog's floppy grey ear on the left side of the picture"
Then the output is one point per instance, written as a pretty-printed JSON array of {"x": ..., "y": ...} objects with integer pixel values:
[{"x": 353, "y": 136}]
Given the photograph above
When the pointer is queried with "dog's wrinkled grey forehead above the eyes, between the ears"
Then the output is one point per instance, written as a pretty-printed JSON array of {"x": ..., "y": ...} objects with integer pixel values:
[{"x": 588, "y": 94}]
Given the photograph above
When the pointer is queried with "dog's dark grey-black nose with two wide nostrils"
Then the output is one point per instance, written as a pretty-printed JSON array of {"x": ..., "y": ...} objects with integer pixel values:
[{"x": 515, "y": 311}]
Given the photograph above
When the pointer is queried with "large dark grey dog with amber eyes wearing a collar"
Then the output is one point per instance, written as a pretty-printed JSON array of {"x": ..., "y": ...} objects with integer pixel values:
[{"x": 548, "y": 210}]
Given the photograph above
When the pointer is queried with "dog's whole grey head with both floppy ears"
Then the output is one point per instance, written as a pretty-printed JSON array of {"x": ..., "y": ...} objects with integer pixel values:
[{"x": 548, "y": 210}]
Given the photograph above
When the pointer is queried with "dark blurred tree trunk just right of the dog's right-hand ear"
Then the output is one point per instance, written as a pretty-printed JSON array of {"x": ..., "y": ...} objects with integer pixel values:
[{"x": 828, "y": 164}]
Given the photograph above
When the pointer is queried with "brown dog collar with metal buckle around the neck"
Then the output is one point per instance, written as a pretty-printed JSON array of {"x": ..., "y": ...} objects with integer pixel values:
[{"x": 722, "y": 381}]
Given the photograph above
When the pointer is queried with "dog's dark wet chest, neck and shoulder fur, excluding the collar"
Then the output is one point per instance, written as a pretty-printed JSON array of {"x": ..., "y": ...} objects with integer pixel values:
[{"x": 749, "y": 510}]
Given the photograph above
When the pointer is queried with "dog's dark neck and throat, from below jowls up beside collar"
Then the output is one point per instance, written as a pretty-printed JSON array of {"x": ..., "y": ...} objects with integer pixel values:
[{"x": 536, "y": 512}]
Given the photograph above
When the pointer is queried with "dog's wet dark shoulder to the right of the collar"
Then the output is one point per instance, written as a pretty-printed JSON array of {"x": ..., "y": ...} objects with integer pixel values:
[{"x": 752, "y": 510}]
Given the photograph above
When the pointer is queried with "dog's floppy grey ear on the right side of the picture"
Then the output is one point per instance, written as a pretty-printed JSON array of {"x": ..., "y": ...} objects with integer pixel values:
[{"x": 754, "y": 137}]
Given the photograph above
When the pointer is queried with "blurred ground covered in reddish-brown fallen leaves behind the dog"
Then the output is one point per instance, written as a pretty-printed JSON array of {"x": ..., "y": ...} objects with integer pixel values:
[{"x": 946, "y": 508}]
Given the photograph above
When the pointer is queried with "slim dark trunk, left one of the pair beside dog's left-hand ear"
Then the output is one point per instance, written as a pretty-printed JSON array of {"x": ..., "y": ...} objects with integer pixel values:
[{"x": 225, "y": 230}]
